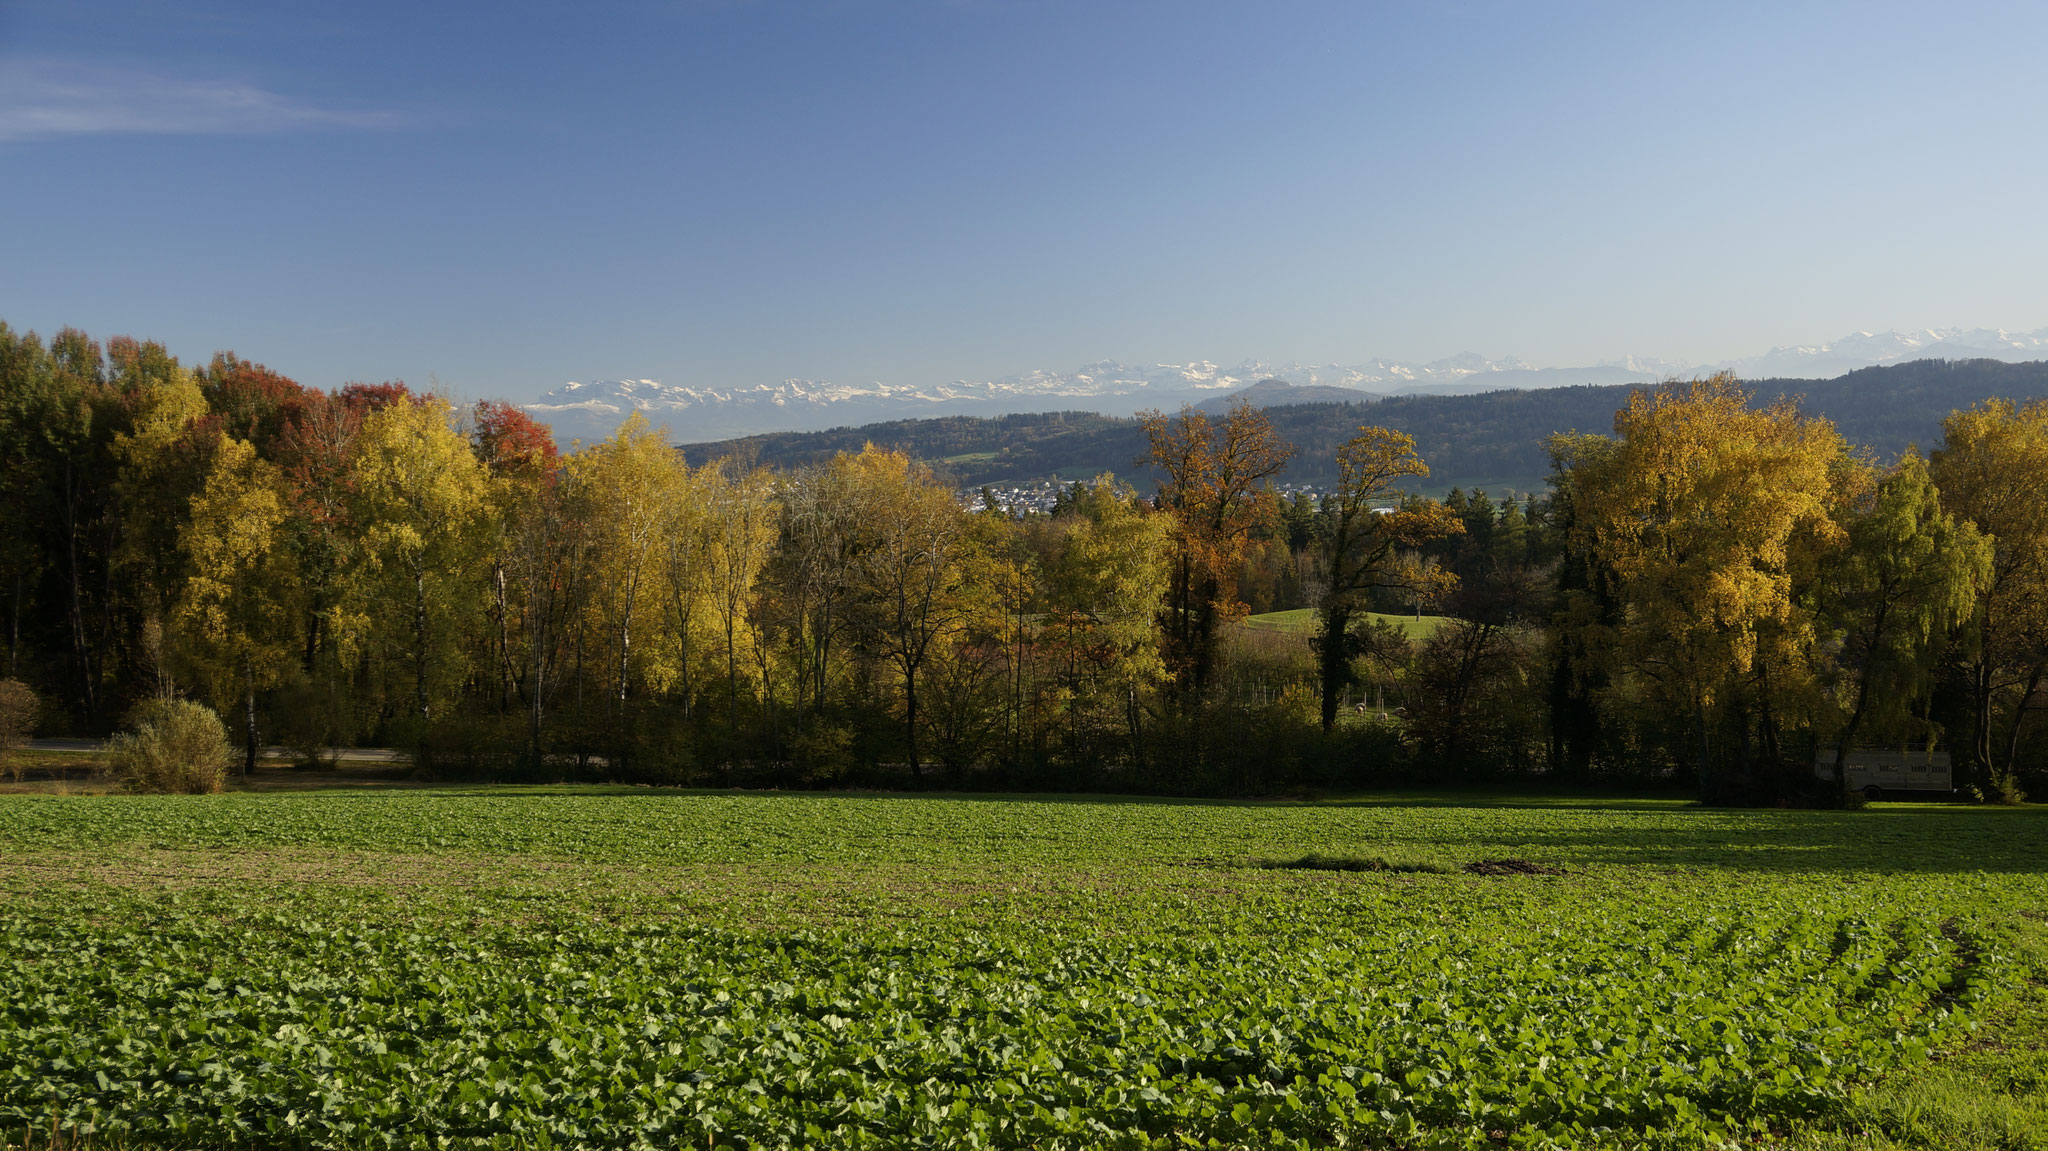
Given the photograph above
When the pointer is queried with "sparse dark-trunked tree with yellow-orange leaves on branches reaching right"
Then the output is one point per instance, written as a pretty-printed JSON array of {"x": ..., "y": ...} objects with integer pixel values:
[{"x": 1361, "y": 544}]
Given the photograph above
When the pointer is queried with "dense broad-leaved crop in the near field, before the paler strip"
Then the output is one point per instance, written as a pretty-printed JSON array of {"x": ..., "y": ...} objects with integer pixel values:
[{"x": 222, "y": 1023}]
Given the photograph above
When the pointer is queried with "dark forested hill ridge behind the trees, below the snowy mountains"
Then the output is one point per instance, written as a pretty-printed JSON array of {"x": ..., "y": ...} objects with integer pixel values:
[{"x": 1492, "y": 441}]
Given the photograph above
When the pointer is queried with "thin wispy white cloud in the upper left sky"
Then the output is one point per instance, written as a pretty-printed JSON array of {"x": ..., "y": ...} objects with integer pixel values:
[{"x": 42, "y": 99}]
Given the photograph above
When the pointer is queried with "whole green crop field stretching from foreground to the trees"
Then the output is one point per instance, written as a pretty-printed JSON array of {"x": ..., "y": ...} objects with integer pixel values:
[{"x": 667, "y": 970}]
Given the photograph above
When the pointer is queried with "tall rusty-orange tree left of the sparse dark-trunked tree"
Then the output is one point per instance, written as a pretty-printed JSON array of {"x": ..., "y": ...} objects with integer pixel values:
[{"x": 1215, "y": 486}]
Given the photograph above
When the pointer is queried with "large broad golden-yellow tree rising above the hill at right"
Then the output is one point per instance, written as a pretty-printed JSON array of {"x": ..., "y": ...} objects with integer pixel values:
[{"x": 1707, "y": 515}]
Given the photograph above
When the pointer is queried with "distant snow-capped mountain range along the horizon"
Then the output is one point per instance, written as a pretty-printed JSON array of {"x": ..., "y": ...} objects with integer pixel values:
[{"x": 593, "y": 411}]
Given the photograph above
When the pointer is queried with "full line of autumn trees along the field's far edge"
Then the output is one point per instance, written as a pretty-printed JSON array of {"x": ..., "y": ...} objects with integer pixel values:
[{"x": 1715, "y": 593}]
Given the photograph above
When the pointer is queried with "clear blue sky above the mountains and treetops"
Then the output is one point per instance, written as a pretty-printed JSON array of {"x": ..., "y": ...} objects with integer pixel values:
[{"x": 503, "y": 198}]
